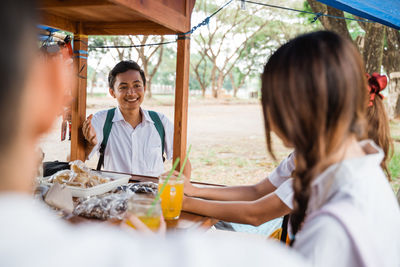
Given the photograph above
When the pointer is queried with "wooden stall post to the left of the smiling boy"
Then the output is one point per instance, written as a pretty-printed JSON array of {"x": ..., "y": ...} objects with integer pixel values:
[{"x": 79, "y": 94}]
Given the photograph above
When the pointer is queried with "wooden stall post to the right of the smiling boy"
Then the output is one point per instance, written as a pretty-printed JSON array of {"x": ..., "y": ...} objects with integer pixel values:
[{"x": 181, "y": 98}]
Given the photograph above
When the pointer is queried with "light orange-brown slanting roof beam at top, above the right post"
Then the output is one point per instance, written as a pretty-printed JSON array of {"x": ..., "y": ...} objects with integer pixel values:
[{"x": 157, "y": 12}]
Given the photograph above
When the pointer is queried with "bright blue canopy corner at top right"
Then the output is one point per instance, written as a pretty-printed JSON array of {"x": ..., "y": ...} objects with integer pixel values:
[{"x": 386, "y": 12}]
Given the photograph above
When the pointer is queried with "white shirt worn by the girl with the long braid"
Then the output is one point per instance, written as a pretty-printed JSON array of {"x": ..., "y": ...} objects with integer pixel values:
[{"x": 353, "y": 218}]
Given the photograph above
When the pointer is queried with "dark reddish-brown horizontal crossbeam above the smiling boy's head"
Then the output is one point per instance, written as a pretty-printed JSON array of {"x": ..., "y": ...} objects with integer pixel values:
[{"x": 125, "y": 28}]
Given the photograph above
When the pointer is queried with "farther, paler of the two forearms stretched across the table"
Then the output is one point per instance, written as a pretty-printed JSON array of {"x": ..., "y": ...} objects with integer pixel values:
[{"x": 234, "y": 193}]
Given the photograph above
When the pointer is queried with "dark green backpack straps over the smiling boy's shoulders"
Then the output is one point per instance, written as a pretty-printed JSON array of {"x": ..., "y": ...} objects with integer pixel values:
[{"x": 107, "y": 129}]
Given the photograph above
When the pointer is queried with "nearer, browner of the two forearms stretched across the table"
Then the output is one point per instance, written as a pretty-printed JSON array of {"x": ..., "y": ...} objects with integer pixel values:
[{"x": 249, "y": 212}]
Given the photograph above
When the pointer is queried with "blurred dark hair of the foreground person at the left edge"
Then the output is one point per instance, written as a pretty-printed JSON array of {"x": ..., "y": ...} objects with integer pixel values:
[{"x": 18, "y": 22}]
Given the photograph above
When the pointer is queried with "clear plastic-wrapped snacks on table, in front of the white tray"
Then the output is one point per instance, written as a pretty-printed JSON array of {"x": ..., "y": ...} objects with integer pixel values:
[{"x": 103, "y": 207}]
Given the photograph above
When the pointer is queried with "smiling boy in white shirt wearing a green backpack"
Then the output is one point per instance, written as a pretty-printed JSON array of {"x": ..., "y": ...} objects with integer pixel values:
[{"x": 134, "y": 143}]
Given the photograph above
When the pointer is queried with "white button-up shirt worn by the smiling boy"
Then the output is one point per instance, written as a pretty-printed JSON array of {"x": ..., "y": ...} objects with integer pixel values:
[{"x": 133, "y": 150}]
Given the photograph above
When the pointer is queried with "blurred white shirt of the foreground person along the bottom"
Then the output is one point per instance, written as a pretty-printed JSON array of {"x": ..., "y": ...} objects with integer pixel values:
[{"x": 30, "y": 235}]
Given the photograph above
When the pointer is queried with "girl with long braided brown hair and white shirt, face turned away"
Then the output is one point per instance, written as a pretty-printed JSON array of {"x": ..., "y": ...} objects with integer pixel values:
[{"x": 314, "y": 99}]
